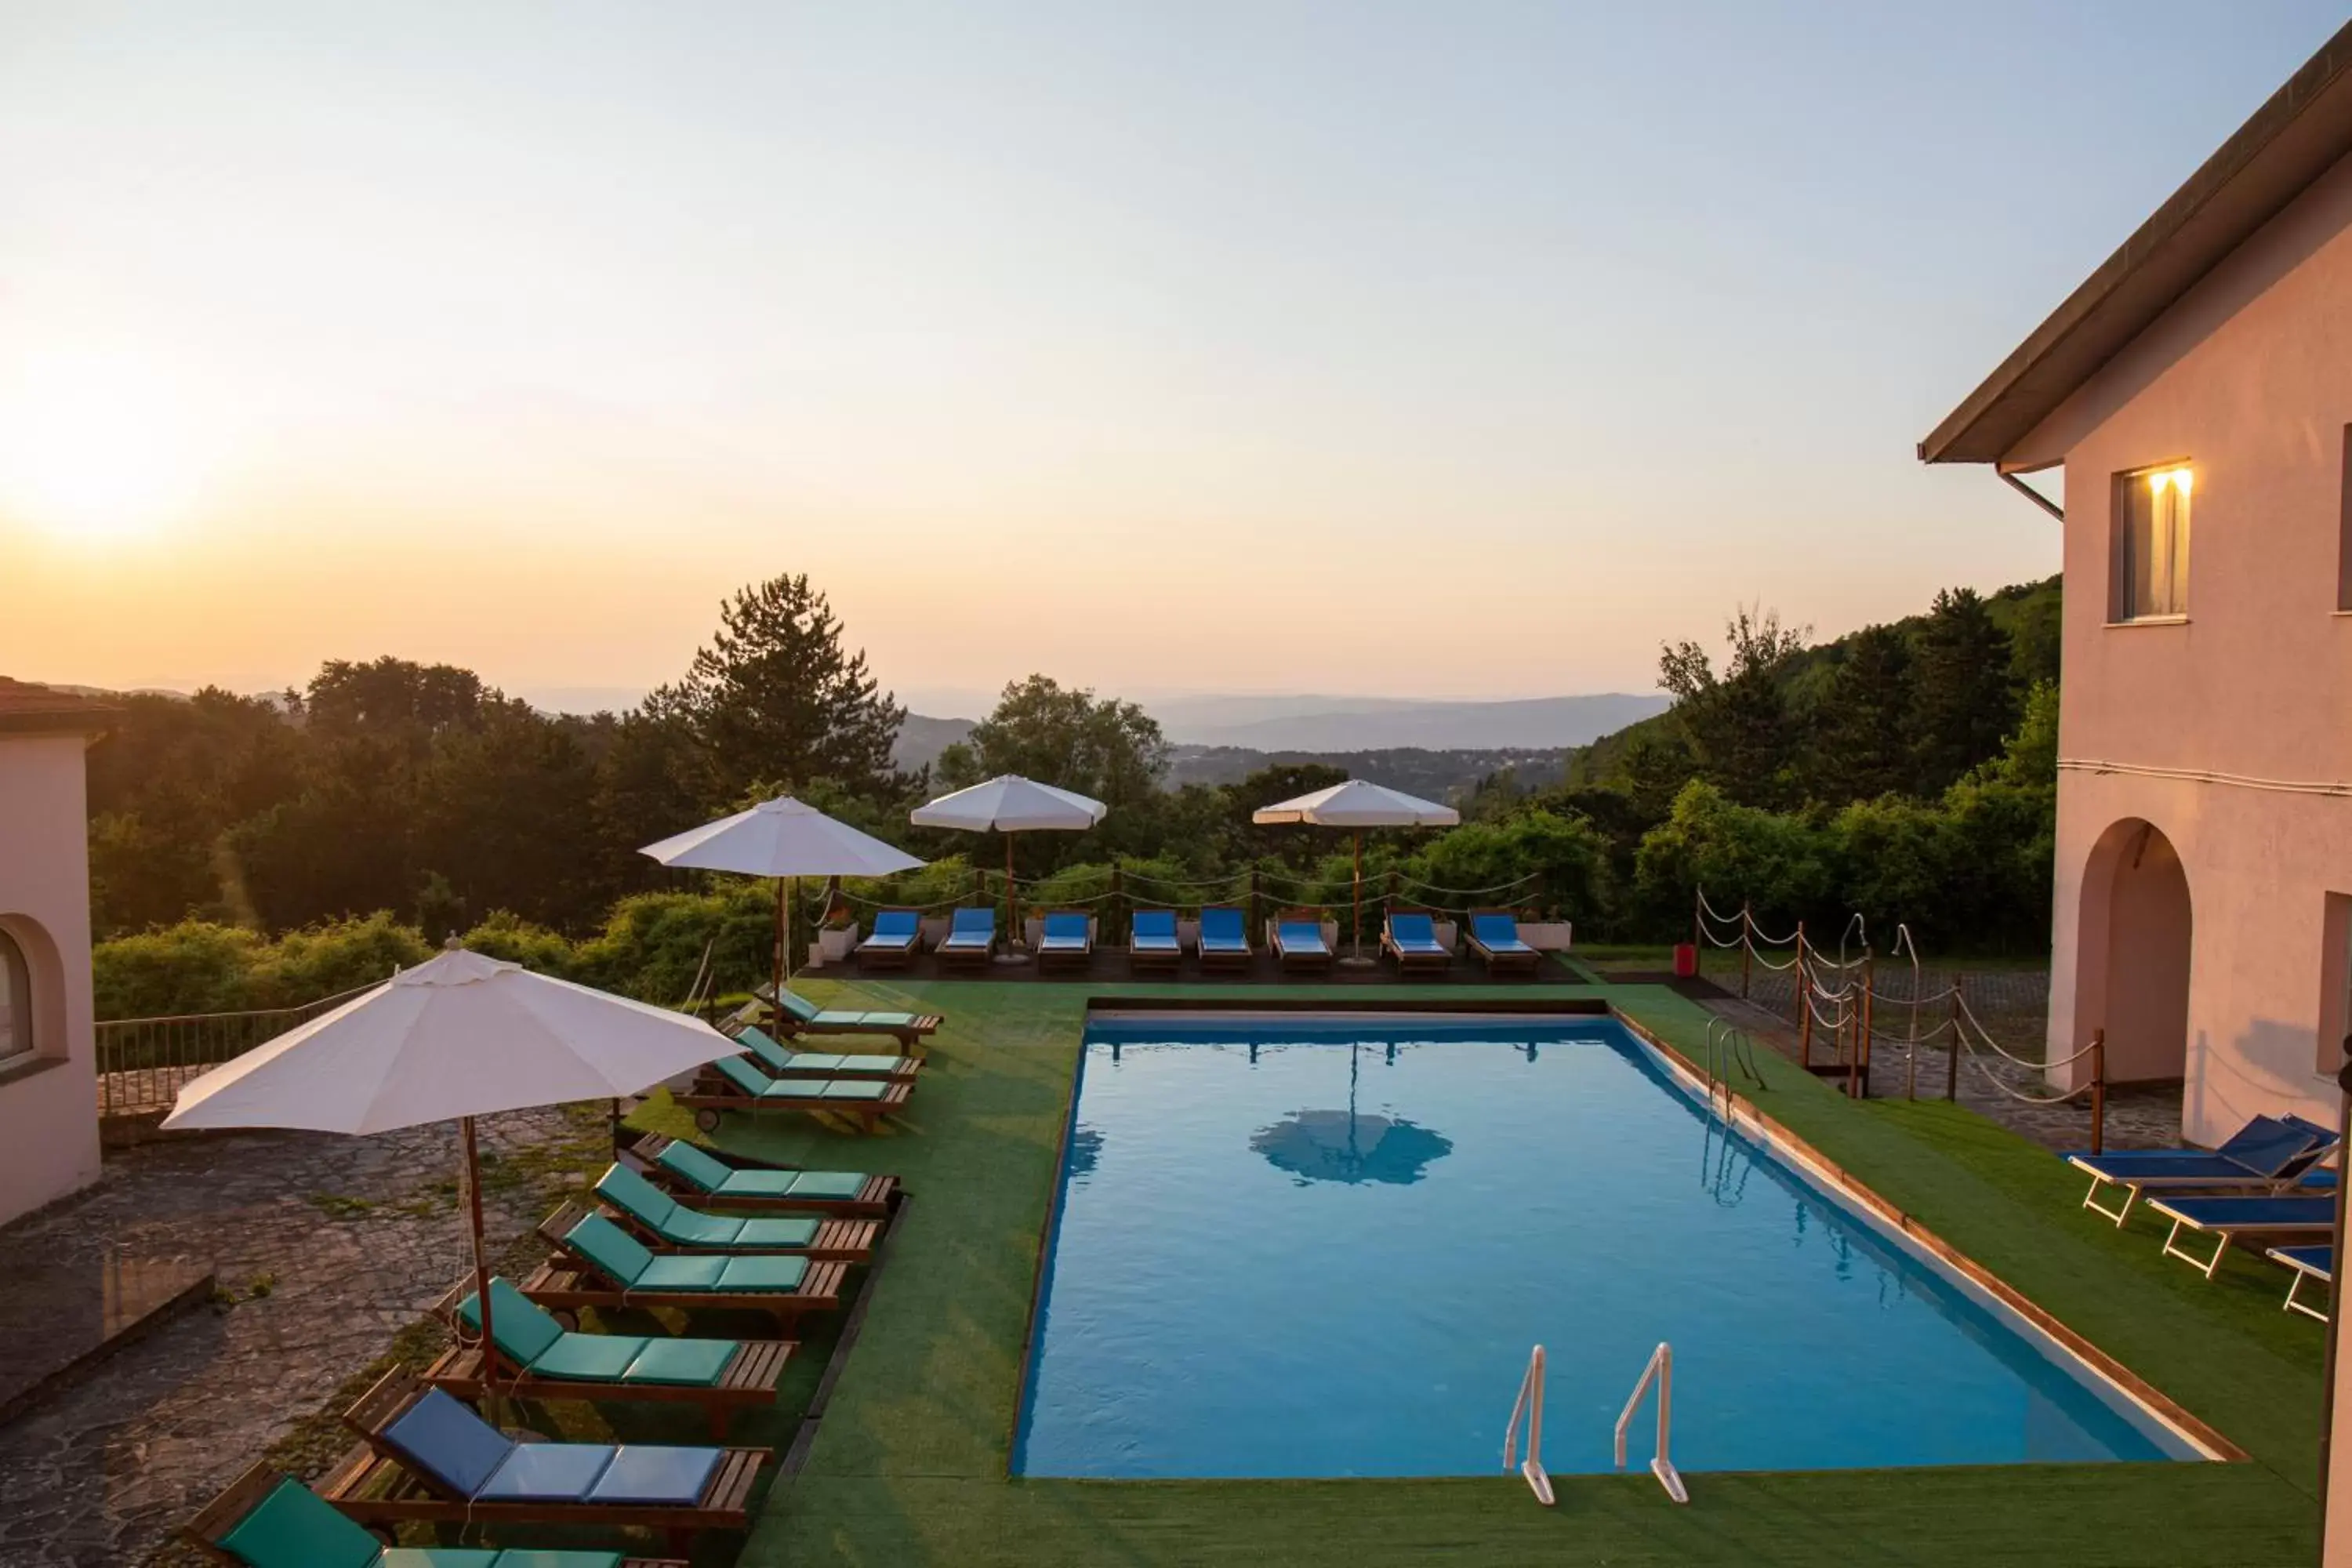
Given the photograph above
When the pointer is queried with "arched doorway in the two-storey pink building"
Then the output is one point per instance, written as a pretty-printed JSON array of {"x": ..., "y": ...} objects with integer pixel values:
[{"x": 2137, "y": 930}]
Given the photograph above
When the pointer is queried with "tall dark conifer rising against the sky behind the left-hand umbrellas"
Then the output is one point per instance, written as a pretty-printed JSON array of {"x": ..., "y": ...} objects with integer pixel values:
[{"x": 775, "y": 695}]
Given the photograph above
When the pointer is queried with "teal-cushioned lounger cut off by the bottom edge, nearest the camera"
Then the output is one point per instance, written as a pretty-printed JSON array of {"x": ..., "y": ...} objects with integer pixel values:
[{"x": 269, "y": 1520}]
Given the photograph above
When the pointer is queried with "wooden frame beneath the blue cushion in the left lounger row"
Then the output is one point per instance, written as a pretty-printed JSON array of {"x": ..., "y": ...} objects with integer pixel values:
[{"x": 375, "y": 1487}]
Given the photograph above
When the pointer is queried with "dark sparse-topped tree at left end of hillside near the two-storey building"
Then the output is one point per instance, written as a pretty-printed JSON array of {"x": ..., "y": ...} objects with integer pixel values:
[{"x": 1739, "y": 723}]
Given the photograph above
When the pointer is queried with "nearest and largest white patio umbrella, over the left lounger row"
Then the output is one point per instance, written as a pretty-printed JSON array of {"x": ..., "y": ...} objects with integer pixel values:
[{"x": 453, "y": 1040}]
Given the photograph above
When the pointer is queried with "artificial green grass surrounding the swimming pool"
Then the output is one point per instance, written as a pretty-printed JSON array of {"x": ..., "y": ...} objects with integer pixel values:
[{"x": 911, "y": 1456}]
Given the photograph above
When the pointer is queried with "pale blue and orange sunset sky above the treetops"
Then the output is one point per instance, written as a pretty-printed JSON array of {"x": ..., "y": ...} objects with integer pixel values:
[{"x": 1363, "y": 349}]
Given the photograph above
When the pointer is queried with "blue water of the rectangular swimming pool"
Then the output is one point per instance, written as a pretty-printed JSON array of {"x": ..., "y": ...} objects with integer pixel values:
[{"x": 1325, "y": 1249}]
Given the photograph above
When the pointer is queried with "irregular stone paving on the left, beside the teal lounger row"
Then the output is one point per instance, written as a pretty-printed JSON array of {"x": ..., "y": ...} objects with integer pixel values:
[{"x": 328, "y": 1249}]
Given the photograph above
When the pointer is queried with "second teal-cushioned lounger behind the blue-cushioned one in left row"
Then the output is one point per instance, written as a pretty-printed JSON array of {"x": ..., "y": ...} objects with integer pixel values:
[{"x": 608, "y": 1268}]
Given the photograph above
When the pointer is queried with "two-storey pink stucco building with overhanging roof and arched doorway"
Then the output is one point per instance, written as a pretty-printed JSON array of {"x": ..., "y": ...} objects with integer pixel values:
[{"x": 2198, "y": 396}]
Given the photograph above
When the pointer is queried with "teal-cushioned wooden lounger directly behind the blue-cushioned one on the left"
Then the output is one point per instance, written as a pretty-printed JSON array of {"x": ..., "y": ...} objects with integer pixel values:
[{"x": 542, "y": 1360}]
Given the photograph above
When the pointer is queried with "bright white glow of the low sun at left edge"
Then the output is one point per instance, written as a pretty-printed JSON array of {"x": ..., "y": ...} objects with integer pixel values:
[{"x": 95, "y": 448}]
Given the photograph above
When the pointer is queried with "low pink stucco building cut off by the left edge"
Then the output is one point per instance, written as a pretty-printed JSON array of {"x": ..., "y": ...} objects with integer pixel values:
[{"x": 48, "y": 1057}]
